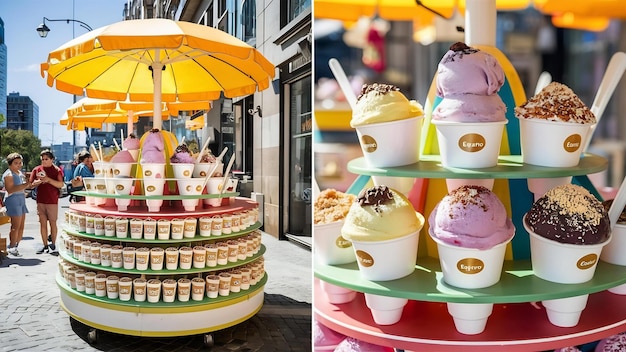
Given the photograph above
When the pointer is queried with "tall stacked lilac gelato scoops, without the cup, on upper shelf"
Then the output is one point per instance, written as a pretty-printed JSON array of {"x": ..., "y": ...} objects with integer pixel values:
[{"x": 468, "y": 80}]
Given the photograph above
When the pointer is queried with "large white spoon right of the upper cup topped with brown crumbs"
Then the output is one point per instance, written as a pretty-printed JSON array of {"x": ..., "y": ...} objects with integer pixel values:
[{"x": 612, "y": 76}]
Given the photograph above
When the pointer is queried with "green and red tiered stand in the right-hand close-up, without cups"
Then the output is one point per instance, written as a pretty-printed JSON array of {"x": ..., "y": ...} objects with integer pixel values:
[{"x": 517, "y": 322}]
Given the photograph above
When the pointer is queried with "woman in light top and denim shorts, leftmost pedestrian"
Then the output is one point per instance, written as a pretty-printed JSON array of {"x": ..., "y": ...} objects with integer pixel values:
[{"x": 15, "y": 201}]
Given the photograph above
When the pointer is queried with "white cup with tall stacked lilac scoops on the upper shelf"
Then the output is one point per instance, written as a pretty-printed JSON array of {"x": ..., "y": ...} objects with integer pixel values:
[{"x": 470, "y": 118}]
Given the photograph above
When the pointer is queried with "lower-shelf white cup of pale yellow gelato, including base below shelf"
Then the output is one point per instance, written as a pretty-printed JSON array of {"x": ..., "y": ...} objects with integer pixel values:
[{"x": 384, "y": 230}]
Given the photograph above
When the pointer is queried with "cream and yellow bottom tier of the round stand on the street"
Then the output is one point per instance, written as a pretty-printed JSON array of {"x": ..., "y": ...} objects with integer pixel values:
[{"x": 162, "y": 319}]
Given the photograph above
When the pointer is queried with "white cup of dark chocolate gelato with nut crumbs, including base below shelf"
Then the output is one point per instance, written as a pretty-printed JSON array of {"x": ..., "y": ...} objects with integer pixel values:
[{"x": 568, "y": 228}]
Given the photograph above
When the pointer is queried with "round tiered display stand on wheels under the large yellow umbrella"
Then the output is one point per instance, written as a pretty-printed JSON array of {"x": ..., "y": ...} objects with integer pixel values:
[{"x": 162, "y": 319}]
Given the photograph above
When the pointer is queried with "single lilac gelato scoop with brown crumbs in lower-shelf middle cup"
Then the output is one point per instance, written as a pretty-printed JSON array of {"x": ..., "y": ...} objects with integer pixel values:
[{"x": 471, "y": 217}]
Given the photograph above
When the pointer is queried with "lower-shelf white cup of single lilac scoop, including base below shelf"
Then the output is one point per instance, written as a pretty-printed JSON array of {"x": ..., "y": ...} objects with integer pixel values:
[{"x": 471, "y": 228}]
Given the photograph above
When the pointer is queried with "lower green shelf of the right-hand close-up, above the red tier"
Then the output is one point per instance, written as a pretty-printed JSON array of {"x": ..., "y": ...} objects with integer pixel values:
[{"x": 517, "y": 284}]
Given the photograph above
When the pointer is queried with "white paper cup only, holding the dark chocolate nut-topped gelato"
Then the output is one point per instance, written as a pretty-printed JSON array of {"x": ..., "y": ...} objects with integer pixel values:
[{"x": 563, "y": 263}]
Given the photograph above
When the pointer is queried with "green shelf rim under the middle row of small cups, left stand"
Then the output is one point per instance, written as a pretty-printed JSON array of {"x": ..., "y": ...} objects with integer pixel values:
[{"x": 166, "y": 272}]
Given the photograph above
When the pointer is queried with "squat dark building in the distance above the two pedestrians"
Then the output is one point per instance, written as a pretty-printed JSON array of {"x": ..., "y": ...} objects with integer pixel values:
[{"x": 22, "y": 113}]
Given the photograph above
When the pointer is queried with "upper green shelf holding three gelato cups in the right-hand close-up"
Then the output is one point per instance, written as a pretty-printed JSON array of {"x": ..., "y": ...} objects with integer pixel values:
[{"x": 509, "y": 167}]
